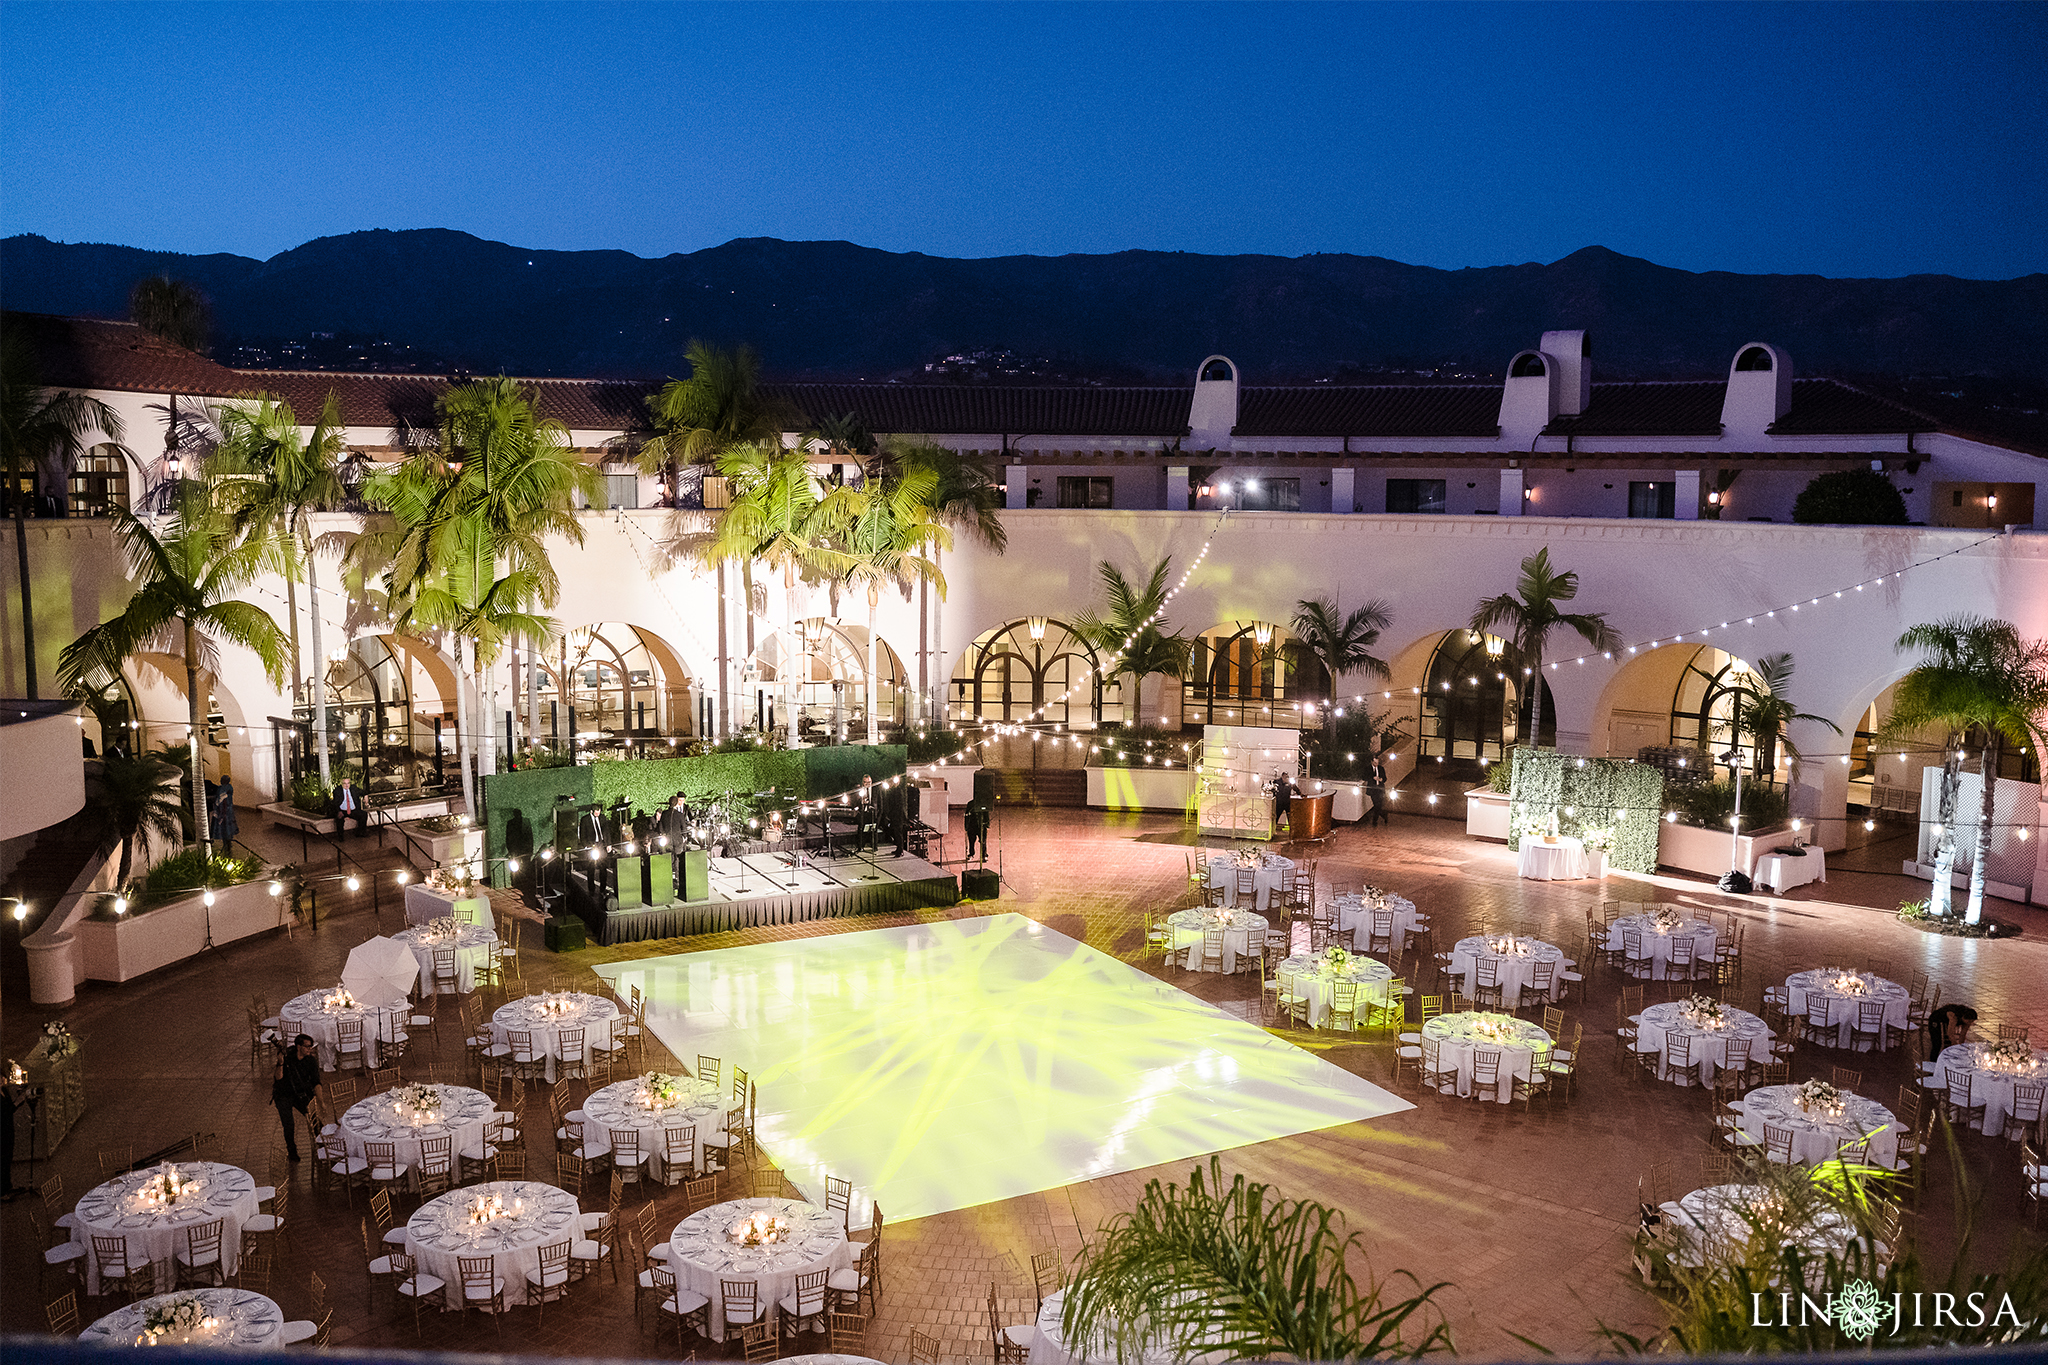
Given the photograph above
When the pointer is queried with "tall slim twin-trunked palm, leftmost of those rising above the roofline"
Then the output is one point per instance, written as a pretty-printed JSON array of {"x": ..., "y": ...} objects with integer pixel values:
[{"x": 271, "y": 480}]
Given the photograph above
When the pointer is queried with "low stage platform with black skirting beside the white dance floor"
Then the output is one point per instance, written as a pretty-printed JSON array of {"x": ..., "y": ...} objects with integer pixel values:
[{"x": 771, "y": 889}]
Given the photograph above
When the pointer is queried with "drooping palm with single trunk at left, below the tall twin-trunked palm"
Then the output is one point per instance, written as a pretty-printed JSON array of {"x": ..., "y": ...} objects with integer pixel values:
[{"x": 185, "y": 603}]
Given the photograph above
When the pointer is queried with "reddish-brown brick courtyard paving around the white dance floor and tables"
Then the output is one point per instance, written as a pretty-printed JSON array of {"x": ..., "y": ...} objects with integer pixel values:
[{"x": 1527, "y": 1215}]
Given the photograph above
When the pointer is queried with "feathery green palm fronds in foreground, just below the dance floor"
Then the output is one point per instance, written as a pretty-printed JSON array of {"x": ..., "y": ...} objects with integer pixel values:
[{"x": 1238, "y": 1274}]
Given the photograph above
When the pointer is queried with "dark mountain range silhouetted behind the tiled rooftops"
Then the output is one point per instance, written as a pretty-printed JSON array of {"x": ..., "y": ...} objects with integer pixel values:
[{"x": 835, "y": 310}]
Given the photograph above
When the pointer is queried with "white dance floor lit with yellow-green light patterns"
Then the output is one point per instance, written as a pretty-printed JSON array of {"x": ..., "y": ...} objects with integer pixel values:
[{"x": 970, "y": 1061}]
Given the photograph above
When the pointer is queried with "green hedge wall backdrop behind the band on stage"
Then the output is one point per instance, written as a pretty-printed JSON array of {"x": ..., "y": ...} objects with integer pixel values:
[{"x": 519, "y": 809}]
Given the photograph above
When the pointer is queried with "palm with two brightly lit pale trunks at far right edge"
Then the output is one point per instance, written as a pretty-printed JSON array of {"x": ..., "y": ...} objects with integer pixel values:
[{"x": 1983, "y": 680}]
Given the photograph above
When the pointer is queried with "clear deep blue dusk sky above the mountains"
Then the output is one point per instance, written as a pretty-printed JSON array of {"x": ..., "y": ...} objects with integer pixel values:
[{"x": 1848, "y": 140}]
